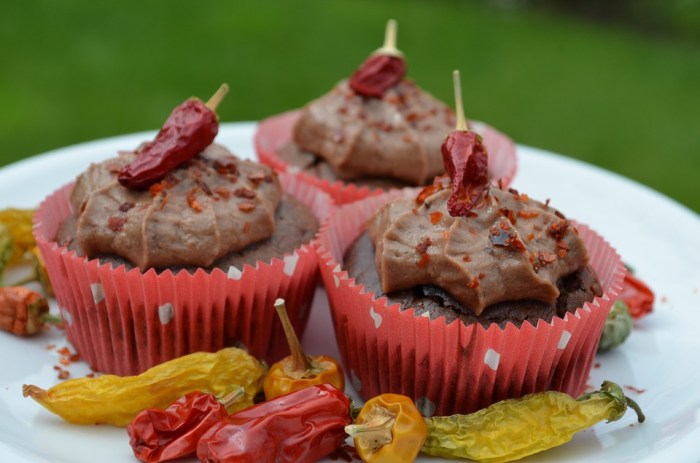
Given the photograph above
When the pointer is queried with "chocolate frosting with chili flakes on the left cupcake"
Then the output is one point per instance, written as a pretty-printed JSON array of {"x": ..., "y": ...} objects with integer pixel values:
[{"x": 211, "y": 205}]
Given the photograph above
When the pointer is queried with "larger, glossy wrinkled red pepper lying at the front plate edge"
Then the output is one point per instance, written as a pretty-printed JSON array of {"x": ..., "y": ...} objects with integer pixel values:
[{"x": 302, "y": 426}]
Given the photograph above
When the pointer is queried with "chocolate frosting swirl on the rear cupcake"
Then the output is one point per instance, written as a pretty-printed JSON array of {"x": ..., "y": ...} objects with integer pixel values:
[{"x": 398, "y": 136}]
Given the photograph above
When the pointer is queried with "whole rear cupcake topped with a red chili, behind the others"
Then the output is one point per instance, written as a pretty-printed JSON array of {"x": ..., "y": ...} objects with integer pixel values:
[{"x": 375, "y": 131}]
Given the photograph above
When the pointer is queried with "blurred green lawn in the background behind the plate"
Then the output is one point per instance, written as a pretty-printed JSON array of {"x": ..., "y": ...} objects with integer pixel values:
[{"x": 74, "y": 71}]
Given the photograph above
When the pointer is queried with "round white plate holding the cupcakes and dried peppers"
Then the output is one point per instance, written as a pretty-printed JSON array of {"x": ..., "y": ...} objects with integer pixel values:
[{"x": 657, "y": 236}]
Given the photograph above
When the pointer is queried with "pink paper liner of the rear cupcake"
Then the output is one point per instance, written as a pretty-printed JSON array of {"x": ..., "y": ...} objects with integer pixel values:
[{"x": 276, "y": 131}]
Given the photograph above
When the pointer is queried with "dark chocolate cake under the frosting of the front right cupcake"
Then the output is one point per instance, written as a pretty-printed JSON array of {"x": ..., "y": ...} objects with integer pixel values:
[{"x": 575, "y": 290}]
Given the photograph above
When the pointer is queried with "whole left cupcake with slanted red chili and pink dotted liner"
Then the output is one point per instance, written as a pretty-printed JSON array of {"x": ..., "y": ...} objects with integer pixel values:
[{"x": 177, "y": 247}]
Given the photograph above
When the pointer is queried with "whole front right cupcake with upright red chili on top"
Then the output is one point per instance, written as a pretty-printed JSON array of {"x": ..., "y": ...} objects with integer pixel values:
[{"x": 463, "y": 294}]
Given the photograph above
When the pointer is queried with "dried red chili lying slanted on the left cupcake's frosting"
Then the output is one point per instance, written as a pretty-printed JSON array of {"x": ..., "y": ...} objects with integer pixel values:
[{"x": 191, "y": 127}]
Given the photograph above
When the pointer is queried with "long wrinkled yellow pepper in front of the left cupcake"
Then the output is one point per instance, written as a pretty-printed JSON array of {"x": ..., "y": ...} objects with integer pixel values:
[{"x": 116, "y": 400}]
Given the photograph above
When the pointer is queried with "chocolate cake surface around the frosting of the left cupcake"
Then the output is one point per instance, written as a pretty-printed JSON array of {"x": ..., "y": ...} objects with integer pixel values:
[{"x": 295, "y": 225}]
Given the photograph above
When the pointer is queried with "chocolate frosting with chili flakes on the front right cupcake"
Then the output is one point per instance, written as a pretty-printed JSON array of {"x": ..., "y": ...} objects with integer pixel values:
[{"x": 508, "y": 248}]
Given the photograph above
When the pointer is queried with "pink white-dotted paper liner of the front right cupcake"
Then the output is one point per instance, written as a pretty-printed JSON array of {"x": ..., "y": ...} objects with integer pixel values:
[{"x": 454, "y": 368}]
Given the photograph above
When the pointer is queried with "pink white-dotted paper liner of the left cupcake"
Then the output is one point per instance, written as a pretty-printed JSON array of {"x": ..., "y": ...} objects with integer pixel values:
[{"x": 123, "y": 322}]
